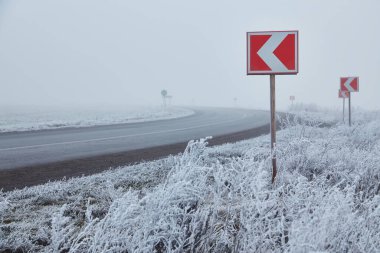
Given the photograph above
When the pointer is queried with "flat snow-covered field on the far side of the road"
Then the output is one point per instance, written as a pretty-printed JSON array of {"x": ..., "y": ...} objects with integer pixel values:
[{"x": 38, "y": 118}]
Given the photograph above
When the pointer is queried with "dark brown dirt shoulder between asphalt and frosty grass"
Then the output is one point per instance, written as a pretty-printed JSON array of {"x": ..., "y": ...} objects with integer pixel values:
[{"x": 39, "y": 174}]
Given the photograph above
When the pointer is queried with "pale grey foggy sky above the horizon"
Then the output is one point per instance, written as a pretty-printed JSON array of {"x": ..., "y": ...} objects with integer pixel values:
[{"x": 124, "y": 52}]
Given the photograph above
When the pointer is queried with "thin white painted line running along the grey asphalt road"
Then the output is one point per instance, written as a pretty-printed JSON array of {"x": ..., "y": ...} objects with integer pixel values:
[{"x": 116, "y": 137}]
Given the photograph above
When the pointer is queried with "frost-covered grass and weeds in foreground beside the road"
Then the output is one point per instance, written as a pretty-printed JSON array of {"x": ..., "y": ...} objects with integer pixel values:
[{"x": 326, "y": 199}]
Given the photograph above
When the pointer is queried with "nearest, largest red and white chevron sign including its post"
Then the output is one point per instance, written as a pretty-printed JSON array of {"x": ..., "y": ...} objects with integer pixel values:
[{"x": 272, "y": 53}]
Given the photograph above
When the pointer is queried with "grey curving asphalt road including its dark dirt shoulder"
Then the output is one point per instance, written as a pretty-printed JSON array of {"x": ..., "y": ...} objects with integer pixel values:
[{"x": 28, "y": 158}]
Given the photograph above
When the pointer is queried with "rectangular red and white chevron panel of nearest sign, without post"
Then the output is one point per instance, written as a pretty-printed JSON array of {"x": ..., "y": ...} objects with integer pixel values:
[{"x": 272, "y": 53}]
